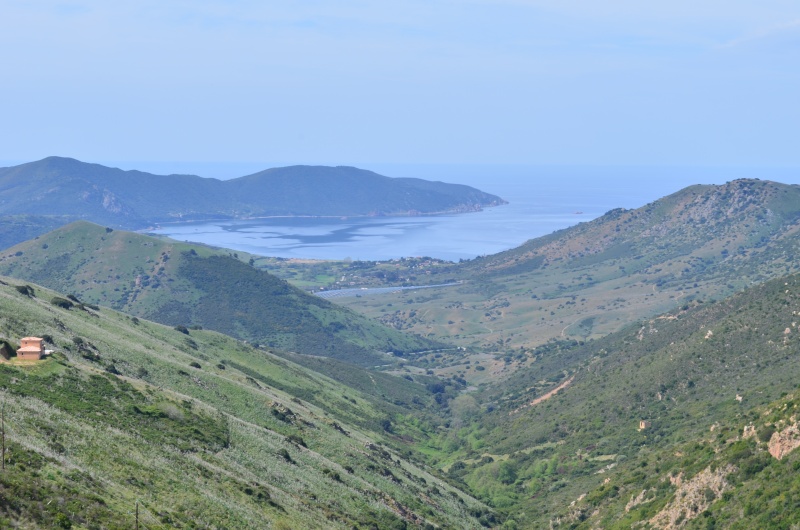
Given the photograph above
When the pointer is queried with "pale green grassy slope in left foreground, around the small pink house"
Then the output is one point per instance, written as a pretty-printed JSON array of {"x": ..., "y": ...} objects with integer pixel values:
[{"x": 222, "y": 444}]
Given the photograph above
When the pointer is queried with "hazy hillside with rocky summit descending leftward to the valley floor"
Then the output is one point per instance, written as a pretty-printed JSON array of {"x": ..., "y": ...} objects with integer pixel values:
[{"x": 586, "y": 281}]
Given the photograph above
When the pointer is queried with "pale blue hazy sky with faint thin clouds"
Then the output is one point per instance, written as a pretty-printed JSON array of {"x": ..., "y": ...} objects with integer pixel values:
[{"x": 677, "y": 82}]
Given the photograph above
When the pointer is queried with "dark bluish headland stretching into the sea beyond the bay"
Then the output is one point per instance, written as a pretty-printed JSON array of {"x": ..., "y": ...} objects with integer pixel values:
[{"x": 58, "y": 186}]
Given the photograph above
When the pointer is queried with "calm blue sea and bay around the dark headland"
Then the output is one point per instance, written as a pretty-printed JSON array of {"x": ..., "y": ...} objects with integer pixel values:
[{"x": 541, "y": 200}]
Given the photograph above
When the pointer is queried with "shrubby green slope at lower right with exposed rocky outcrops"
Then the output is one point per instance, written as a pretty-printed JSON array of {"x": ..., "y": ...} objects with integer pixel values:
[{"x": 682, "y": 372}]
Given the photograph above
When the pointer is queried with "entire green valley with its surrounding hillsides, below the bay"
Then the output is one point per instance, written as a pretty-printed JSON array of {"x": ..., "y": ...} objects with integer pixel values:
[{"x": 636, "y": 370}]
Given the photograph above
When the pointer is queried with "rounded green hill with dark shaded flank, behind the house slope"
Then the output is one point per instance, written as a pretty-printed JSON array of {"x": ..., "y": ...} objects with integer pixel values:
[{"x": 181, "y": 284}]
